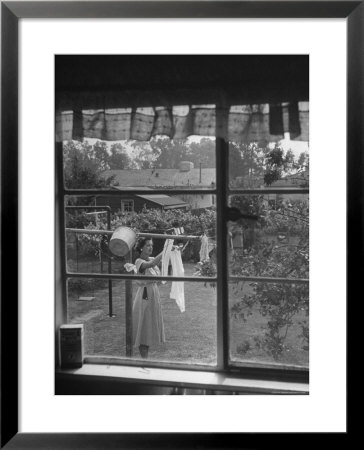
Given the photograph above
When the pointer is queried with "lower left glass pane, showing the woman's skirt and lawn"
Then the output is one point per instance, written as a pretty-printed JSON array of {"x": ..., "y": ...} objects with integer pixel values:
[{"x": 105, "y": 308}]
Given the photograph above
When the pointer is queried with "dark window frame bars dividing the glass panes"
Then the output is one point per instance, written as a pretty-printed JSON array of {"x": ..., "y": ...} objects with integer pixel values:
[{"x": 222, "y": 191}]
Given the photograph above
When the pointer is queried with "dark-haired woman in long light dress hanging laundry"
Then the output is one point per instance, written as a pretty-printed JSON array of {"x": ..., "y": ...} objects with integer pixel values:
[{"x": 148, "y": 327}]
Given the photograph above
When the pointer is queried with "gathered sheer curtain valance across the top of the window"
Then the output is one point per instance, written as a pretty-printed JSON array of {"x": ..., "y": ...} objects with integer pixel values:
[{"x": 245, "y": 123}]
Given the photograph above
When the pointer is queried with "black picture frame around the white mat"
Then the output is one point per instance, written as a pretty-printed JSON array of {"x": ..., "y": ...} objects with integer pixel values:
[{"x": 11, "y": 12}]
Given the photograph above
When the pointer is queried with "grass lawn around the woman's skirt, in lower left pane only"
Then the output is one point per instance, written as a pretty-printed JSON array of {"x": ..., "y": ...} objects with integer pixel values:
[{"x": 190, "y": 336}]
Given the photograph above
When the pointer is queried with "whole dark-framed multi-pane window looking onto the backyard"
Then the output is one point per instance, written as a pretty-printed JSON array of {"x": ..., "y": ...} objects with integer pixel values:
[{"x": 248, "y": 298}]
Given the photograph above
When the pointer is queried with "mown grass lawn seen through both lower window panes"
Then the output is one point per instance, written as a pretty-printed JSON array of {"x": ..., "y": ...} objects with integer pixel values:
[{"x": 190, "y": 336}]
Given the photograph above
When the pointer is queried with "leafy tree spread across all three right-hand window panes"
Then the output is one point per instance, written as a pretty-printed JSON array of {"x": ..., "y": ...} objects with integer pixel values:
[{"x": 280, "y": 304}]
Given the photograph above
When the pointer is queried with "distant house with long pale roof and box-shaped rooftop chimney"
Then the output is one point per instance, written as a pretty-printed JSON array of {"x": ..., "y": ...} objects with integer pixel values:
[{"x": 185, "y": 177}]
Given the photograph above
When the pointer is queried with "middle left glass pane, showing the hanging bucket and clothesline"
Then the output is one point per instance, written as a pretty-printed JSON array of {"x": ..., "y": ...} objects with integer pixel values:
[{"x": 96, "y": 237}]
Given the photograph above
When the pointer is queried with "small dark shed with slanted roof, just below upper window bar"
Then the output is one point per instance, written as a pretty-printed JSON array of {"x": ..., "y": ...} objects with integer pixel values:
[{"x": 129, "y": 201}]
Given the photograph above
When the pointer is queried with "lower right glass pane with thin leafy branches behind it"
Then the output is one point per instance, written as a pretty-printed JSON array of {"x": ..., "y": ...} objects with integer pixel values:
[{"x": 269, "y": 323}]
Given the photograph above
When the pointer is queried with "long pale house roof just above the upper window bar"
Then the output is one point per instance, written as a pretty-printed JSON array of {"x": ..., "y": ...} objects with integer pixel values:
[{"x": 162, "y": 177}]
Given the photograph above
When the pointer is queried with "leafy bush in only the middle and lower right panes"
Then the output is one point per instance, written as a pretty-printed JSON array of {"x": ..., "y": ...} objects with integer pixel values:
[{"x": 279, "y": 303}]
